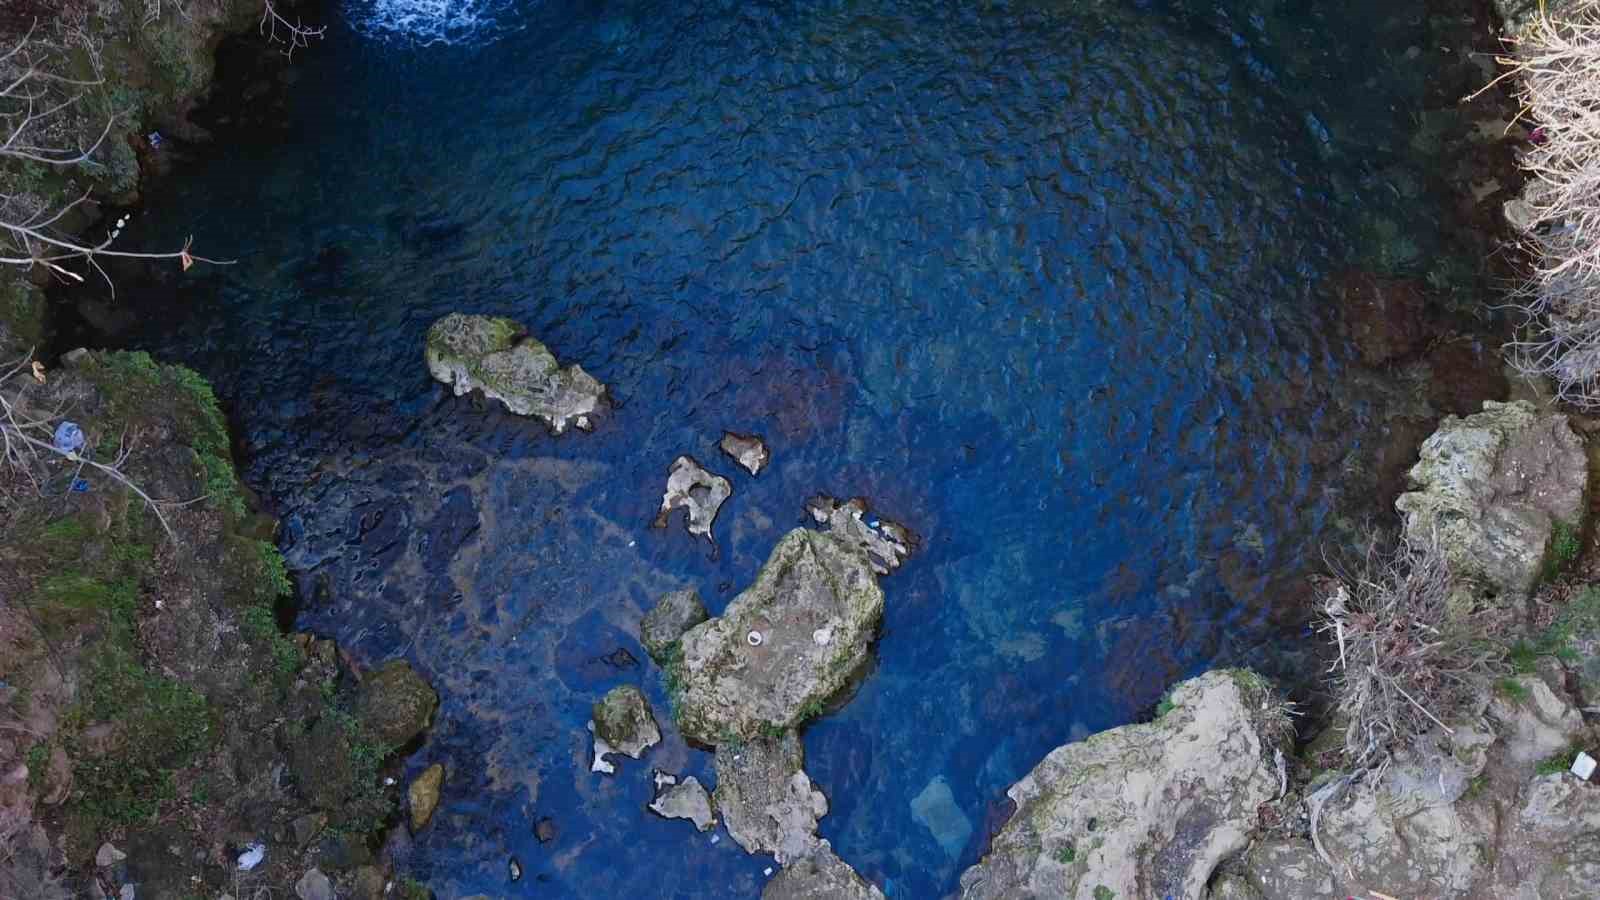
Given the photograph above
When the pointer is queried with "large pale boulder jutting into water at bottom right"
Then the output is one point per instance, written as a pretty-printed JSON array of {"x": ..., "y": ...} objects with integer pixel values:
[{"x": 1142, "y": 811}]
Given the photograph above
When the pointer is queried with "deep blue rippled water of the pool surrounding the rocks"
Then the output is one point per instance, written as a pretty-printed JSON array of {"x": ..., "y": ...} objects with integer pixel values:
[{"x": 1039, "y": 279}]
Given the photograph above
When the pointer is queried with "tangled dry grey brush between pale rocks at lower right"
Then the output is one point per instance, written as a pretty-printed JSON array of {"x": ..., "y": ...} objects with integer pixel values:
[{"x": 1406, "y": 665}]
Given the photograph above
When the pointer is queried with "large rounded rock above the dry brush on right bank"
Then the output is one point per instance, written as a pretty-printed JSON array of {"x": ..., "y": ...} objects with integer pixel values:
[{"x": 1494, "y": 489}]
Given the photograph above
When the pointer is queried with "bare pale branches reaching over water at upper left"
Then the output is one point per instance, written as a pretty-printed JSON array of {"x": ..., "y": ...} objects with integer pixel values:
[{"x": 46, "y": 124}]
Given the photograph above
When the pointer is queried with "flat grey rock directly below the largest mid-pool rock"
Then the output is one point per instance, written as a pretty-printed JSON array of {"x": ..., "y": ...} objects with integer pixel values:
[{"x": 767, "y": 800}]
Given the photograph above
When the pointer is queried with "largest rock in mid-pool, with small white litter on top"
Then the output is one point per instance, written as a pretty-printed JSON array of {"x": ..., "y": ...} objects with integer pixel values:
[{"x": 783, "y": 648}]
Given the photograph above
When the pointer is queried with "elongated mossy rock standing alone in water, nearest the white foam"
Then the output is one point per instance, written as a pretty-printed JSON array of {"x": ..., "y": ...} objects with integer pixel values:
[{"x": 498, "y": 356}]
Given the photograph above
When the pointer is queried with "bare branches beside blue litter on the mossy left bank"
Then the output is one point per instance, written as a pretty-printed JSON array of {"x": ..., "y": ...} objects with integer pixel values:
[{"x": 31, "y": 457}]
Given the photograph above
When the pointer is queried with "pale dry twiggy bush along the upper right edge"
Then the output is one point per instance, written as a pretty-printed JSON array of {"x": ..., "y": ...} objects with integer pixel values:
[{"x": 1556, "y": 66}]
